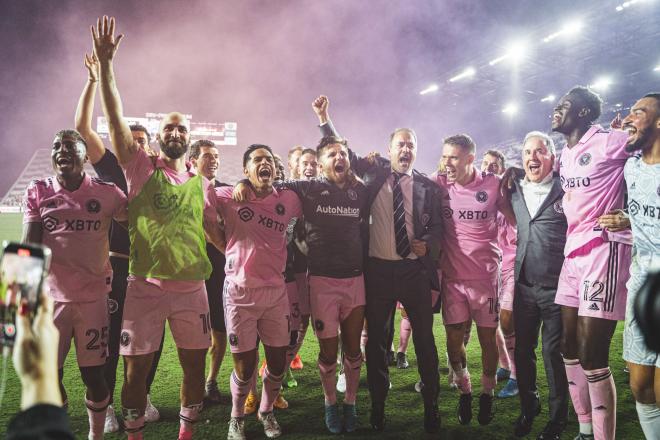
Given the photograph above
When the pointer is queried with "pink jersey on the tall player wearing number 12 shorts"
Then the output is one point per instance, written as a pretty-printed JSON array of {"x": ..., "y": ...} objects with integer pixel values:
[{"x": 592, "y": 178}]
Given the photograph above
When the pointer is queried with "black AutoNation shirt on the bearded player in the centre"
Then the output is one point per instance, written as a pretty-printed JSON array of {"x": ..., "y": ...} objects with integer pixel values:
[{"x": 333, "y": 225}]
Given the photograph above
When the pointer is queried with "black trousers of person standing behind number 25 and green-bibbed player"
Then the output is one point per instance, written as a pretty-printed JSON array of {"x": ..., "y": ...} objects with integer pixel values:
[{"x": 116, "y": 306}]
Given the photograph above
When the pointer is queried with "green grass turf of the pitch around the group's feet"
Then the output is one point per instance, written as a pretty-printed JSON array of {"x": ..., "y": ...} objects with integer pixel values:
[{"x": 304, "y": 418}]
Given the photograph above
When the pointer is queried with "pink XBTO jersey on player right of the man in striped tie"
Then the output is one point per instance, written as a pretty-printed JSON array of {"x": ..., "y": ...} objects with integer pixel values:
[{"x": 469, "y": 250}]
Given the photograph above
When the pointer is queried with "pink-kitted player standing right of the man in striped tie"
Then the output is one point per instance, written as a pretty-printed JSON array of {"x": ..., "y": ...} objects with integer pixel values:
[{"x": 470, "y": 265}]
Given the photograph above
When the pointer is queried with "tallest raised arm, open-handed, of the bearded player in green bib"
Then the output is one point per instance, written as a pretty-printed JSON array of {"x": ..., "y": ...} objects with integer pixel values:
[{"x": 105, "y": 48}]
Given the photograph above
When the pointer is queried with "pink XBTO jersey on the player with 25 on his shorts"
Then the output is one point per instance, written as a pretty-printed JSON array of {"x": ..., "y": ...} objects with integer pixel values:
[{"x": 75, "y": 227}]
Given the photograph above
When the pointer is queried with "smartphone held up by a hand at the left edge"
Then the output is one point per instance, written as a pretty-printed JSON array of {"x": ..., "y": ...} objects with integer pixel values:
[{"x": 21, "y": 274}]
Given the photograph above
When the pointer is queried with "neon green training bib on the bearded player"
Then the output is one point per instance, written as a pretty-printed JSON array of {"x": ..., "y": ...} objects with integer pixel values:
[{"x": 165, "y": 225}]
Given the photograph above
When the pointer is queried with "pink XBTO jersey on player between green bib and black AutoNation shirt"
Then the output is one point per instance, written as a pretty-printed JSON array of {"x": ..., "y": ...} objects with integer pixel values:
[{"x": 256, "y": 236}]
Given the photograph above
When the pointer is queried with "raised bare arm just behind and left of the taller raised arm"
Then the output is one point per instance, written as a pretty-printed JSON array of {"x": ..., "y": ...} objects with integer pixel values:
[{"x": 85, "y": 109}]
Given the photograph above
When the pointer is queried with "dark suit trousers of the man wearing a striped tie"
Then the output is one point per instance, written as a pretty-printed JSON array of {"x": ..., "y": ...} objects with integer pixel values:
[{"x": 408, "y": 282}]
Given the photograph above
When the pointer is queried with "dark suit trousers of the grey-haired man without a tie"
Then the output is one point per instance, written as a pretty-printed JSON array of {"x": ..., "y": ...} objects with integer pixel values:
[{"x": 534, "y": 306}]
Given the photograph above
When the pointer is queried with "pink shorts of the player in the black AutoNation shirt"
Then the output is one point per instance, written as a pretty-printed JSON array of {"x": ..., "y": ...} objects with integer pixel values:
[{"x": 332, "y": 300}]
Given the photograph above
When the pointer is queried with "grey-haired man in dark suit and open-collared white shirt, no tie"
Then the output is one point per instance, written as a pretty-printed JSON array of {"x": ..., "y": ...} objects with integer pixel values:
[{"x": 536, "y": 198}]
